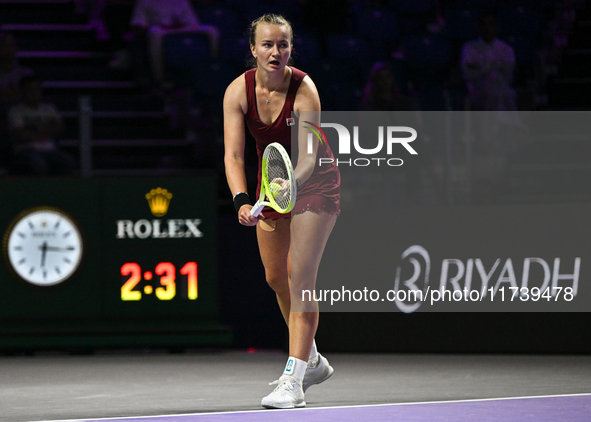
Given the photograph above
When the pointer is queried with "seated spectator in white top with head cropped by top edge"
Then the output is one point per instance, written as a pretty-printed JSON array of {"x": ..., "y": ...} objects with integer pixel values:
[{"x": 152, "y": 20}]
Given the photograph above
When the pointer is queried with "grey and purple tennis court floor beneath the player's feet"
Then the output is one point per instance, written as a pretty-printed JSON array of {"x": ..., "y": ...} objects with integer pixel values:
[{"x": 228, "y": 386}]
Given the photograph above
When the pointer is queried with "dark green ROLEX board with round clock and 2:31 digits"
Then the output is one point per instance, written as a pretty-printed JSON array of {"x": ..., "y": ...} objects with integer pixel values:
[{"x": 119, "y": 262}]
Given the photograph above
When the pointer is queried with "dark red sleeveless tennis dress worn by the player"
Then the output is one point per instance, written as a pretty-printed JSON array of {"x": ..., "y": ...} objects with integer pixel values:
[{"x": 321, "y": 192}]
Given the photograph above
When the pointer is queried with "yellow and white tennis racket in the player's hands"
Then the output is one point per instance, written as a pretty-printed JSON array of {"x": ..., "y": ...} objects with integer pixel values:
[{"x": 278, "y": 184}]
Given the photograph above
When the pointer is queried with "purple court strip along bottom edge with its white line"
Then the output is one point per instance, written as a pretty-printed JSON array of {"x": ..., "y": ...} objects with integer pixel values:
[{"x": 550, "y": 408}]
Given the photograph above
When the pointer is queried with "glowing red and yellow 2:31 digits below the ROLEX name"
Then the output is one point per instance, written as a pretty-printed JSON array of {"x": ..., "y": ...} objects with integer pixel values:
[{"x": 167, "y": 273}]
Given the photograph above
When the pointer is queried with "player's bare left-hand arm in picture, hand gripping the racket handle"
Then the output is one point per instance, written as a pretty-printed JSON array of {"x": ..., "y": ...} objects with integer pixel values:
[{"x": 235, "y": 106}]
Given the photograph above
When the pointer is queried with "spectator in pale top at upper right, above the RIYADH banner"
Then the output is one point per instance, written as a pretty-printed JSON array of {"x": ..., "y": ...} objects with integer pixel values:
[{"x": 487, "y": 64}]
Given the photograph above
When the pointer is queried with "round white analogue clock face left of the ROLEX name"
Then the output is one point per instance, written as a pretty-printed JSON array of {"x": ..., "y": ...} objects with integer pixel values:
[{"x": 44, "y": 247}]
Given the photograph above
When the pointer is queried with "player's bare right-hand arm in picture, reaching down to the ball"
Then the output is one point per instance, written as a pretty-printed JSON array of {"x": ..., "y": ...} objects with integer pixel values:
[{"x": 307, "y": 109}]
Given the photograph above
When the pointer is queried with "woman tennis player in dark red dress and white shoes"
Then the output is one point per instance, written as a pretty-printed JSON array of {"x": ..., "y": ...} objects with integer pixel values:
[{"x": 291, "y": 245}]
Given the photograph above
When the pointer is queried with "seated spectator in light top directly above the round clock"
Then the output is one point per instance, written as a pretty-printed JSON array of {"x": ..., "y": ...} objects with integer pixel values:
[{"x": 34, "y": 126}]
